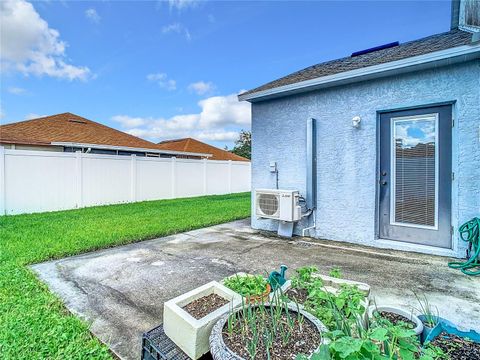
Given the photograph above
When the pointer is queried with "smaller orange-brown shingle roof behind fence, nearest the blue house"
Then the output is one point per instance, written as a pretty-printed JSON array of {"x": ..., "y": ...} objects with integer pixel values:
[{"x": 193, "y": 145}]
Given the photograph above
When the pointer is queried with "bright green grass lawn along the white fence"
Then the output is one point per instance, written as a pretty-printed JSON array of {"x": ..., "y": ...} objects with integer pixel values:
[{"x": 34, "y": 324}]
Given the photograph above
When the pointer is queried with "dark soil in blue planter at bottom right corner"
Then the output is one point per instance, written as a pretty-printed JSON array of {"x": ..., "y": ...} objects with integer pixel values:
[{"x": 456, "y": 347}]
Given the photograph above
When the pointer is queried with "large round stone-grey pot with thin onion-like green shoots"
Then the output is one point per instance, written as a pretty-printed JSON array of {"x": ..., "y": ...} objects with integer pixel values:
[{"x": 278, "y": 329}]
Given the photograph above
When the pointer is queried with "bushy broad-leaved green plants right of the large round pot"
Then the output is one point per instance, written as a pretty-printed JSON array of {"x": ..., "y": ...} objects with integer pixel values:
[{"x": 349, "y": 337}]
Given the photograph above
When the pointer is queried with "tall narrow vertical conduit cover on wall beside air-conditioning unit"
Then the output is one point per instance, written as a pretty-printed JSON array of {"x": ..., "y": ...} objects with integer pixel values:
[{"x": 311, "y": 195}]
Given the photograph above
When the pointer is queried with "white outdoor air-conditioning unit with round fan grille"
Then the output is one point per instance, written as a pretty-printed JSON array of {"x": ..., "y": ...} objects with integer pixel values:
[{"x": 278, "y": 204}]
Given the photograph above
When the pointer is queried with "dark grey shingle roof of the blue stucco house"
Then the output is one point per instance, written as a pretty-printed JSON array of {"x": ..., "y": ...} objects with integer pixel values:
[{"x": 435, "y": 43}]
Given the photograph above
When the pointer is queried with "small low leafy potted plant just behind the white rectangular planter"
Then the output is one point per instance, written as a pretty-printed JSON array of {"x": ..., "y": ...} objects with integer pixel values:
[{"x": 254, "y": 288}]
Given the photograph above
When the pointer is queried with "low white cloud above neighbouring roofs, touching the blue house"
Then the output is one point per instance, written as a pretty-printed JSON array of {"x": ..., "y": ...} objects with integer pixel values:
[{"x": 218, "y": 120}]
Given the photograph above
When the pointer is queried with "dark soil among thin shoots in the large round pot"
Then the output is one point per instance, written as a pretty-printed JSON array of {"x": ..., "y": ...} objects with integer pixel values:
[{"x": 305, "y": 339}]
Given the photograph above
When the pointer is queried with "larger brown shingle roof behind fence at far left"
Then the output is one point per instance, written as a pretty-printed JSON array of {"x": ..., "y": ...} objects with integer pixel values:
[{"x": 68, "y": 127}]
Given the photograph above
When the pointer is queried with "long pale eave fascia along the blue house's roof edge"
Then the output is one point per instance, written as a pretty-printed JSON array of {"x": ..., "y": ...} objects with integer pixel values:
[{"x": 421, "y": 62}]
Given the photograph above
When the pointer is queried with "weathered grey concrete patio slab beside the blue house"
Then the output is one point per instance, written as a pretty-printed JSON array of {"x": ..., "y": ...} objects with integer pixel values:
[{"x": 121, "y": 290}]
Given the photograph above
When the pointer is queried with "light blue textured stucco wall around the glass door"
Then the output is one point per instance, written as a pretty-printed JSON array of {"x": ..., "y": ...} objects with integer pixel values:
[{"x": 347, "y": 157}]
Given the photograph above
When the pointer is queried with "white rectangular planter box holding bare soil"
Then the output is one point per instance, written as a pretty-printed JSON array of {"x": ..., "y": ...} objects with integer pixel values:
[{"x": 191, "y": 335}]
